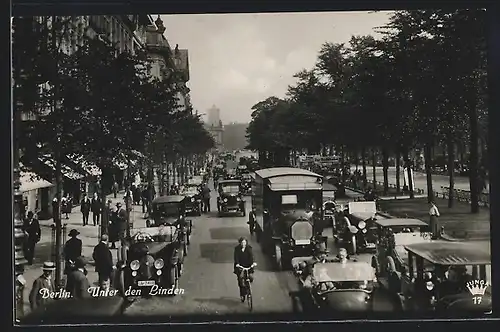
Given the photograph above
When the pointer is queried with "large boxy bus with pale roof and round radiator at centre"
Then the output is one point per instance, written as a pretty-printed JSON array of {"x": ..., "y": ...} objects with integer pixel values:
[{"x": 288, "y": 212}]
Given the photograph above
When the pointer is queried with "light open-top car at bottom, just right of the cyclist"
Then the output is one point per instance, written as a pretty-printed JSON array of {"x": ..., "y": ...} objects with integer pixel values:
[{"x": 336, "y": 287}]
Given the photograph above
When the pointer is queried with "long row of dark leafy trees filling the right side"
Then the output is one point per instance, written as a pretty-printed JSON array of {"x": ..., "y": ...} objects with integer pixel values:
[{"x": 421, "y": 85}]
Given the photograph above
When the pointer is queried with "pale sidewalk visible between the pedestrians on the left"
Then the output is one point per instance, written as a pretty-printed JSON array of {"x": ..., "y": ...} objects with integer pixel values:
[{"x": 88, "y": 234}]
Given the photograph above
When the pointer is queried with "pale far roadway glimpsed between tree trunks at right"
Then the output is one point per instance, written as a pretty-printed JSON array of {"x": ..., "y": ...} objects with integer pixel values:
[{"x": 420, "y": 179}]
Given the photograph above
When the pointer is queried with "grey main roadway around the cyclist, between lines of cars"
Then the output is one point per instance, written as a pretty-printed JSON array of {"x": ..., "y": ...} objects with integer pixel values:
[{"x": 210, "y": 287}]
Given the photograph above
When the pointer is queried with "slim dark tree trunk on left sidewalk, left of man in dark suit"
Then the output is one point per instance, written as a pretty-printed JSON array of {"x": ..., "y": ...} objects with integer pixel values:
[{"x": 58, "y": 221}]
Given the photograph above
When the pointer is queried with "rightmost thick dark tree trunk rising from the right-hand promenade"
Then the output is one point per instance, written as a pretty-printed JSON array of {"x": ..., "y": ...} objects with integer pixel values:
[{"x": 474, "y": 153}]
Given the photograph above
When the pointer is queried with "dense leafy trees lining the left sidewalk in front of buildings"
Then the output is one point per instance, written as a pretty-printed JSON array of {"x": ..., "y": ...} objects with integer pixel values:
[{"x": 95, "y": 102}]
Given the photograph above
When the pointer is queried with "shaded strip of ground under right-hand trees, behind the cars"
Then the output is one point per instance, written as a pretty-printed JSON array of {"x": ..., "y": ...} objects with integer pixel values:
[{"x": 458, "y": 222}]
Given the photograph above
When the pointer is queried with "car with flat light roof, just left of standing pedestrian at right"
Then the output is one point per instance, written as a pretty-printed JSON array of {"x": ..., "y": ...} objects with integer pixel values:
[{"x": 393, "y": 235}]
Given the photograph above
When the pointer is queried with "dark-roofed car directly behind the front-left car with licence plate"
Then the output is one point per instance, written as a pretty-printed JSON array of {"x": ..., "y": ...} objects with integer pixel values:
[{"x": 171, "y": 210}]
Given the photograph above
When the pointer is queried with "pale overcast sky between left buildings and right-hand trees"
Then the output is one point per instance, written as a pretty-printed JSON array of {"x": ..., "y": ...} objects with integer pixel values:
[{"x": 237, "y": 60}]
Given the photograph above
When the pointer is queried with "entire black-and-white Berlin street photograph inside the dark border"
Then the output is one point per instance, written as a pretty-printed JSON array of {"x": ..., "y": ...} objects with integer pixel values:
[{"x": 177, "y": 168}]
